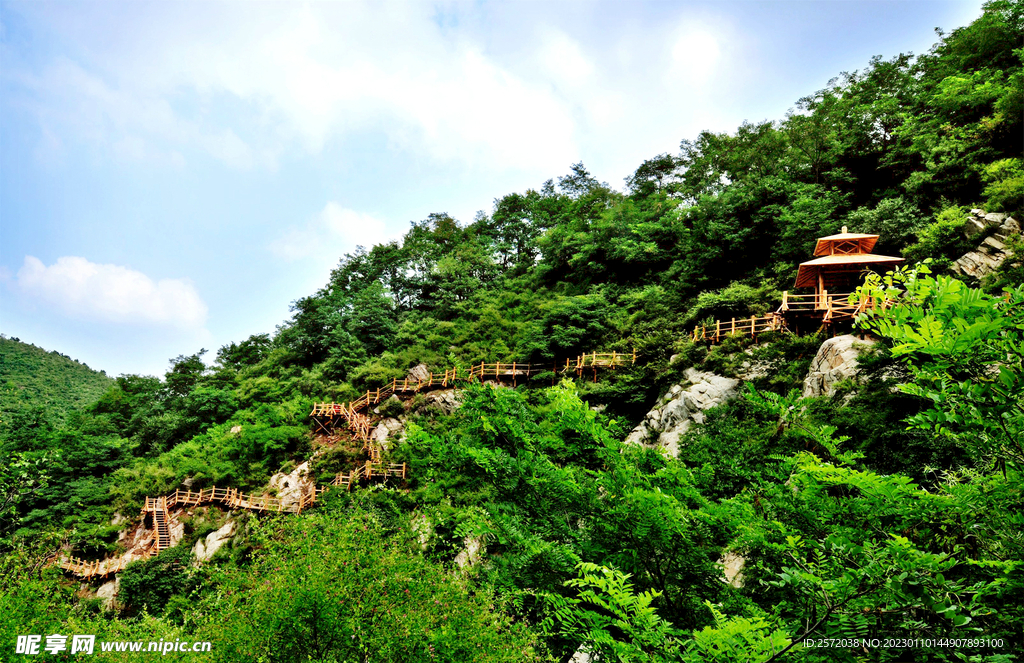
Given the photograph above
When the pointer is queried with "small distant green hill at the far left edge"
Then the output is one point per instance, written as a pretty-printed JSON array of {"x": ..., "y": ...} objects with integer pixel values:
[{"x": 31, "y": 377}]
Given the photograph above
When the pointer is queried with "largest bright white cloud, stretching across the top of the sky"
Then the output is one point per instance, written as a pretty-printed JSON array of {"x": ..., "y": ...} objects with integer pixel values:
[{"x": 247, "y": 91}]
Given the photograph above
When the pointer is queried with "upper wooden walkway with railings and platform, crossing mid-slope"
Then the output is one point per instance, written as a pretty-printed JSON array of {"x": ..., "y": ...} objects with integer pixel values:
[{"x": 355, "y": 415}]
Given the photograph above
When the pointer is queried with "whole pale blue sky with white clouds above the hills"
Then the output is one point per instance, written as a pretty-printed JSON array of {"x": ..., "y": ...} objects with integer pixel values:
[{"x": 174, "y": 175}]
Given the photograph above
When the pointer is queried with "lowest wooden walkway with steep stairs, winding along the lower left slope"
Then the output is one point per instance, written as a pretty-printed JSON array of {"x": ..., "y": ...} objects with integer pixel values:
[{"x": 158, "y": 509}]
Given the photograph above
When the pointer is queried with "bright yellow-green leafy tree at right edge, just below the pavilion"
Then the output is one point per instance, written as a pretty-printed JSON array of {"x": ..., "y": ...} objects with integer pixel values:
[{"x": 965, "y": 350}]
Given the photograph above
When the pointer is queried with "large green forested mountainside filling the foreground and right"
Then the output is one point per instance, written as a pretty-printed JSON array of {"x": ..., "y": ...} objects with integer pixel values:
[{"x": 527, "y": 529}]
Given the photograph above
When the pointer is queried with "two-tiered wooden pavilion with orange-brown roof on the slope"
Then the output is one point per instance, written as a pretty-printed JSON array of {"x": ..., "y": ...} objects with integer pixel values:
[{"x": 835, "y": 274}]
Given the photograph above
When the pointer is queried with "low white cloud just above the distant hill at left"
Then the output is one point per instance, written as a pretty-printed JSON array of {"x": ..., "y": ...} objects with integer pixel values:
[{"x": 111, "y": 294}]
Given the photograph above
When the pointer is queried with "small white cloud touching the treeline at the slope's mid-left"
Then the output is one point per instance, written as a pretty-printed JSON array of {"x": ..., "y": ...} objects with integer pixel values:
[{"x": 333, "y": 232}]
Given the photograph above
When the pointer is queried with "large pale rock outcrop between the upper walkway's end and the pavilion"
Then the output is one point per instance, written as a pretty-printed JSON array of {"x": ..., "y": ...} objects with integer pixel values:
[{"x": 680, "y": 408}]
